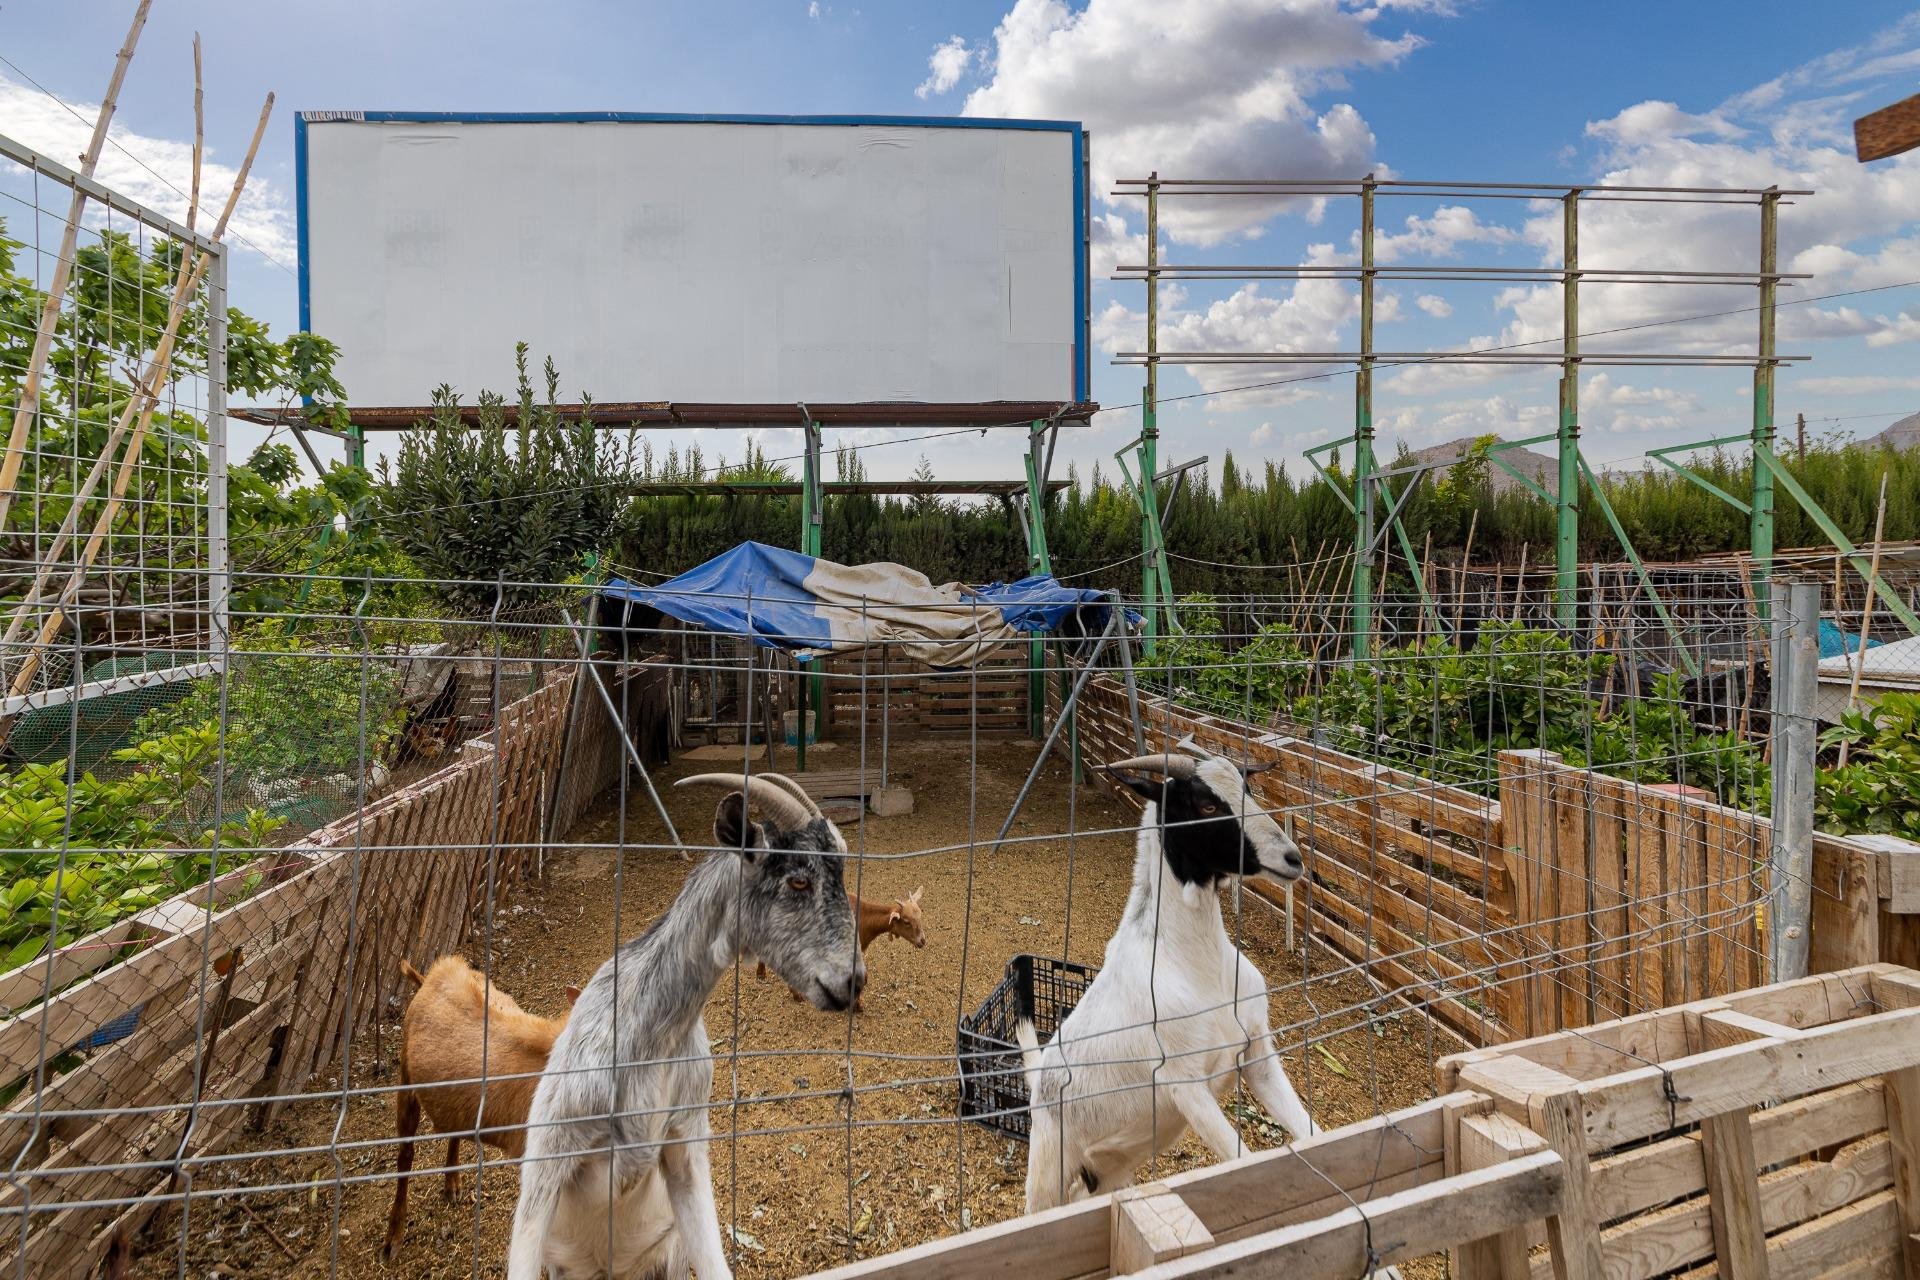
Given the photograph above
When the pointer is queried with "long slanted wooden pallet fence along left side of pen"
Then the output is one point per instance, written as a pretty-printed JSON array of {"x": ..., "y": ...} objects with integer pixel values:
[{"x": 260, "y": 989}]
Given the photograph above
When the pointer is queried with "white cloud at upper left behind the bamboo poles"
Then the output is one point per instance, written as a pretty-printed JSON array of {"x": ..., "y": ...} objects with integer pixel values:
[{"x": 262, "y": 222}]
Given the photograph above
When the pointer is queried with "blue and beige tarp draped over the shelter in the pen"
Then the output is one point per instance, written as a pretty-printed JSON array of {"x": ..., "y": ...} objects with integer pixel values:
[{"x": 809, "y": 607}]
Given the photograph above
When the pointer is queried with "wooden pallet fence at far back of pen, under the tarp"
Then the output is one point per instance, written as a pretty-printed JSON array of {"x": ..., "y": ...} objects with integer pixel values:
[{"x": 917, "y": 701}]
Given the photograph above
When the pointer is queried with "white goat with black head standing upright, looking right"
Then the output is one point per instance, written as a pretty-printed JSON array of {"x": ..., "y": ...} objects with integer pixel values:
[{"x": 1176, "y": 1008}]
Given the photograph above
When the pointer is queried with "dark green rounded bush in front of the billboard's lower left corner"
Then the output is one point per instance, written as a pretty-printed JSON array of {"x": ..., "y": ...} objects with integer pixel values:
[{"x": 521, "y": 504}]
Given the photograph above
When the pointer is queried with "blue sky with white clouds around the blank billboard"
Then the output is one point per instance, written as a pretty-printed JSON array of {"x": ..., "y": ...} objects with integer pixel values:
[{"x": 1428, "y": 89}]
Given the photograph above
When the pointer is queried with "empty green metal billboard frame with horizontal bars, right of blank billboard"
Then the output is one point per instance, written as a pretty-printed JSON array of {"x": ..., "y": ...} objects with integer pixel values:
[{"x": 1368, "y": 490}]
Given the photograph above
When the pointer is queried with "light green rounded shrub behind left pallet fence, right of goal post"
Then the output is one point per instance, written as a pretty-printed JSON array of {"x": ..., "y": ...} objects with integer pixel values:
[{"x": 293, "y": 711}]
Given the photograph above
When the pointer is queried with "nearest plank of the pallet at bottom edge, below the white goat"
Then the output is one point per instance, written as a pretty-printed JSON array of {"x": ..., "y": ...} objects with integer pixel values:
[{"x": 1387, "y": 1231}]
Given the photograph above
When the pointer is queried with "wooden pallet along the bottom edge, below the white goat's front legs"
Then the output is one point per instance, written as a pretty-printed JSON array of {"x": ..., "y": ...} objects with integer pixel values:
[{"x": 1328, "y": 1208}]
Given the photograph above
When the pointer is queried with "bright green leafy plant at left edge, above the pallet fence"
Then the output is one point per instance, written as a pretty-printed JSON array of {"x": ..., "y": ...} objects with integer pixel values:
[{"x": 110, "y": 849}]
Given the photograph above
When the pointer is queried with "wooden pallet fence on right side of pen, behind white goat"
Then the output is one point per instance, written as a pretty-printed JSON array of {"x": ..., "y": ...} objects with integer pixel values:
[{"x": 1573, "y": 899}]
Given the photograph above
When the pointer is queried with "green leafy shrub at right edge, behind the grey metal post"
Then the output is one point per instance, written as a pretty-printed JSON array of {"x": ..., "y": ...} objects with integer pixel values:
[{"x": 1879, "y": 790}]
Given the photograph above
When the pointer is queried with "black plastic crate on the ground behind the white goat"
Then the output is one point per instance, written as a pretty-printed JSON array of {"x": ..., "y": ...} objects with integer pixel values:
[{"x": 994, "y": 1091}]
